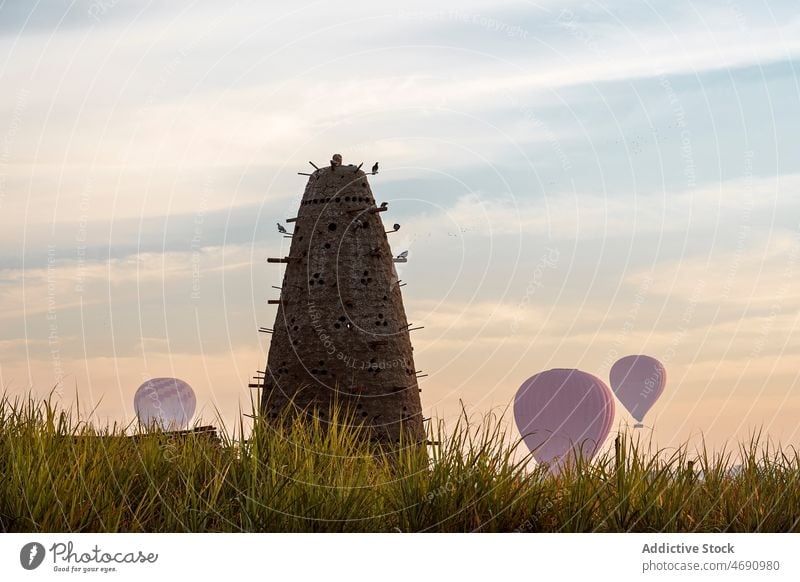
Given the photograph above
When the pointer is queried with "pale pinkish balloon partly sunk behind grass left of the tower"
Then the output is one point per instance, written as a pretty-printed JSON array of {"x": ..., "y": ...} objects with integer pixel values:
[{"x": 168, "y": 403}]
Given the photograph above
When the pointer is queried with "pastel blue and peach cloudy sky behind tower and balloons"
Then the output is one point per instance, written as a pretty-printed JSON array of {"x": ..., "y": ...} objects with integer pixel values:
[{"x": 576, "y": 182}]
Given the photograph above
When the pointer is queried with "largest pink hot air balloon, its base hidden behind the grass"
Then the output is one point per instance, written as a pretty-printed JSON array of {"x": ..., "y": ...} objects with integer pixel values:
[{"x": 563, "y": 409}]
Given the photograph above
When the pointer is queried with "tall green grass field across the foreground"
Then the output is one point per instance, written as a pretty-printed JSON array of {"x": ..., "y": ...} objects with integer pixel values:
[{"x": 58, "y": 474}]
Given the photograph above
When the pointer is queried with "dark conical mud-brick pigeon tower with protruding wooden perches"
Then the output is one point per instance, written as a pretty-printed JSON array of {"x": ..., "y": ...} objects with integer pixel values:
[{"x": 340, "y": 331}]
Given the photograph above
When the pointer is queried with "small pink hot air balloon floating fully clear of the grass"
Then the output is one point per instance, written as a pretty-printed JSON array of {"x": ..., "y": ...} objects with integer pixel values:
[{"x": 638, "y": 381}]
